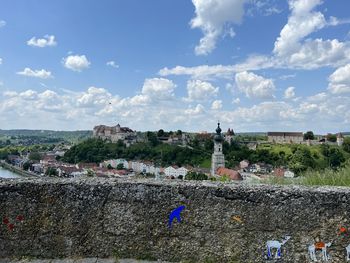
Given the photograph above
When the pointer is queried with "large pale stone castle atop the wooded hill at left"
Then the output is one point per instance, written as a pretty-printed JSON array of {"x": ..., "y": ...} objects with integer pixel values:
[{"x": 115, "y": 133}]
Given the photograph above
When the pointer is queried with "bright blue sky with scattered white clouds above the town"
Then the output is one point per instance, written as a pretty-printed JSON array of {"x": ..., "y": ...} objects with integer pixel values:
[{"x": 253, "y": 65}]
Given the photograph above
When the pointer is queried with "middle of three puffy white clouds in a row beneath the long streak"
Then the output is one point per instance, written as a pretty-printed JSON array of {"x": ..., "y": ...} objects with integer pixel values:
[{"x": 200, "y": 90}]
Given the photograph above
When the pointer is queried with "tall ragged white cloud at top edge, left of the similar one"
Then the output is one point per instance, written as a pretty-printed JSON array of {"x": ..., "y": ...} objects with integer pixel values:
[{"x": 211, "y": 17}]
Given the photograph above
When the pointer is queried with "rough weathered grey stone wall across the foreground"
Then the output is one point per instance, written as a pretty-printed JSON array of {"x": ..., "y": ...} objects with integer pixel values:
[{"x": 86, "y": 218}]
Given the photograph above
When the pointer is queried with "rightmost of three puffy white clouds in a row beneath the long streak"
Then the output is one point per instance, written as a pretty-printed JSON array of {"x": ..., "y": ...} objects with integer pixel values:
[{"x": 254, "y": 86}]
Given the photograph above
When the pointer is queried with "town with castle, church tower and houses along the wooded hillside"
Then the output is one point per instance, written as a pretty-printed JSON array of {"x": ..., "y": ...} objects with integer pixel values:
[{"x": 51, "y": 162}]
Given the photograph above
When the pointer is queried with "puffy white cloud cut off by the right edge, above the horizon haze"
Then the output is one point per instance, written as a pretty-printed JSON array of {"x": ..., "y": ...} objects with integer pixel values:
[{"x": 339, "y": 81}]
